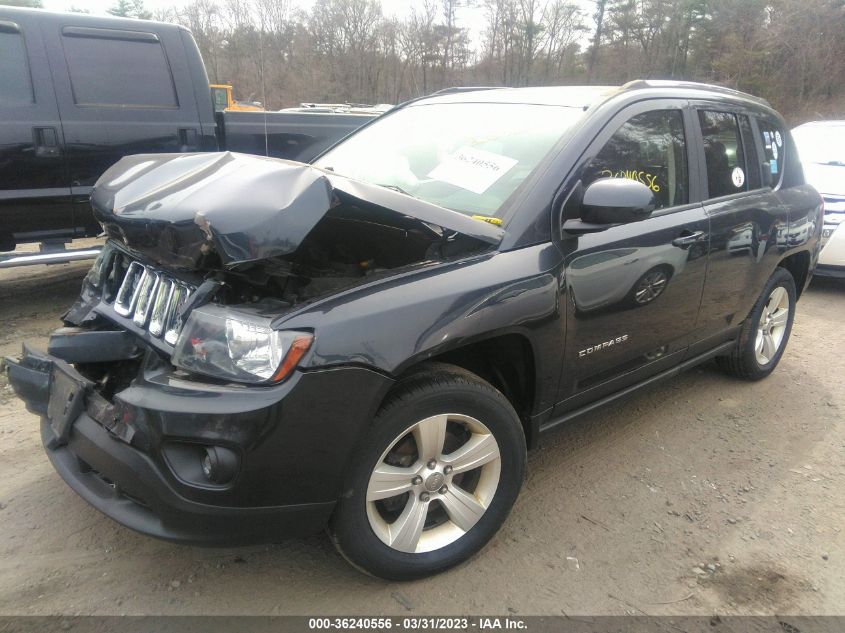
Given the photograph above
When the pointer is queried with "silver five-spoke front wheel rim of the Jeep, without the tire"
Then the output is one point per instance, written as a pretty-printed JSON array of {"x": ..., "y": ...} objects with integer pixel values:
[{"x": 433, "y": 483}]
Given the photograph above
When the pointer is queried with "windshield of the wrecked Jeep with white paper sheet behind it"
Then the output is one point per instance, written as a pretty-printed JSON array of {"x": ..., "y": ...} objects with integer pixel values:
[{"x": 468, "y": 157}]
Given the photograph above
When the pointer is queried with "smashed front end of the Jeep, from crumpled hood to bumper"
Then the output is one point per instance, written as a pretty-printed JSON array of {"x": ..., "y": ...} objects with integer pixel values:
[{"x": 173, "y": 387}]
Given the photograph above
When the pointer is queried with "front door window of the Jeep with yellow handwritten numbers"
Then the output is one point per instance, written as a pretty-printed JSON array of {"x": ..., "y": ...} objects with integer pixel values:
[{"x": 650, "y": 148}]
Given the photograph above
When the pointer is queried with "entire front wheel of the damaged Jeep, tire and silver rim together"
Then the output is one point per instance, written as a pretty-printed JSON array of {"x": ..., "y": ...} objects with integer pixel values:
[{"x": 434, "y": 478}]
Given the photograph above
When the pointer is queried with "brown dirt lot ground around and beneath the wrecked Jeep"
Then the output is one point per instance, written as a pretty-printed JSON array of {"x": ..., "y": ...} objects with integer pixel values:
[{"x": 699, "y": 495}]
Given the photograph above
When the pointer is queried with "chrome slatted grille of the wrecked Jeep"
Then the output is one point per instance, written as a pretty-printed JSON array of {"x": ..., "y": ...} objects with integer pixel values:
[{"x": 153, "y": 300}]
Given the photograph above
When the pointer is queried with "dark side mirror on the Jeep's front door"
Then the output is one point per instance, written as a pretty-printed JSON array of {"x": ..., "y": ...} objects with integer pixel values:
[{"x": 616, "y": 201}]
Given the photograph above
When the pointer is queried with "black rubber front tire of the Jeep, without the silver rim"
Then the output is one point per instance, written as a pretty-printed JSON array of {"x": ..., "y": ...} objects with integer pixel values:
[{"x": 350, "y": 526}]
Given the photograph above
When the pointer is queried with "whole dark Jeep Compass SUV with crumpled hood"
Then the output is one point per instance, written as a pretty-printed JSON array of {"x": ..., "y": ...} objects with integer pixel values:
[{"x": 372, "y": 341}]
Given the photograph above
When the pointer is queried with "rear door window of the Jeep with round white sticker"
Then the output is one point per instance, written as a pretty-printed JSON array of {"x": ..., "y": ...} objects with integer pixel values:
[{"x": 723, "y": 152}]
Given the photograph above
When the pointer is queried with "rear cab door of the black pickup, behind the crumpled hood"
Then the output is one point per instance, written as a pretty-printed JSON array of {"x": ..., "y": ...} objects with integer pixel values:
[{"x": 121, "y": 91}]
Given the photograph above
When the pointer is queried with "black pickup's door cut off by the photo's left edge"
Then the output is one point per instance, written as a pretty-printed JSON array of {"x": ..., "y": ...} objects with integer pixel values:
[{"x": 34, "y": 191}]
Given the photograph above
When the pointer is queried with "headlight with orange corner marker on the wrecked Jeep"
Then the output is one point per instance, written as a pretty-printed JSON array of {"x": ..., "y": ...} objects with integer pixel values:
[{"x": 238, "y": 346}]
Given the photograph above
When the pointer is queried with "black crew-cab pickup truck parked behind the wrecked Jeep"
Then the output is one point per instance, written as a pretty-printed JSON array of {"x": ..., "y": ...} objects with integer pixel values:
[{"x": 77, "y": 93}]
